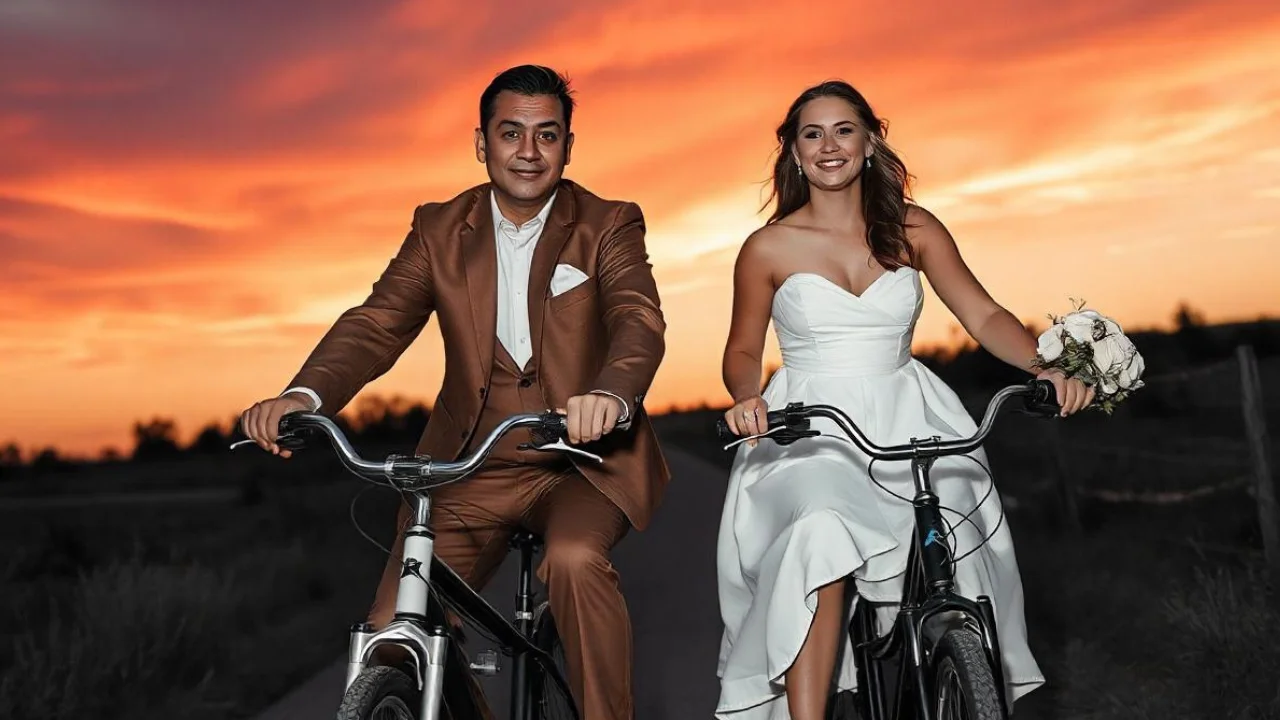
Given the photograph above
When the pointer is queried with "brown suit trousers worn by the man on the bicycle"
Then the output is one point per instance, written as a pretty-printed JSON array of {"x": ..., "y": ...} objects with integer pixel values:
[{"x": 474, "y": 522}]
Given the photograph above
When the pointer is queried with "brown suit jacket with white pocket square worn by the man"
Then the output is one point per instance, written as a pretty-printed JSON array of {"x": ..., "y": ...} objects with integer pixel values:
[{"x": 606, "y": 334}]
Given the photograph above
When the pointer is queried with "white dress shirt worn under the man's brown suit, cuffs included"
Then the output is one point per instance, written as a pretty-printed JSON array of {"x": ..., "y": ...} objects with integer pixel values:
[{"x": 516, "y": 245}]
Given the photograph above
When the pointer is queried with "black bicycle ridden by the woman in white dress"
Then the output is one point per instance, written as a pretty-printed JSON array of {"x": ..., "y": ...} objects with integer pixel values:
[{"x": 944, "y": 645}]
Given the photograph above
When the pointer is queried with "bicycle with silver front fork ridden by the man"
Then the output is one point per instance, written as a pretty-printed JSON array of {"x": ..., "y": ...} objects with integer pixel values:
[{"x": 433, "y": 683}]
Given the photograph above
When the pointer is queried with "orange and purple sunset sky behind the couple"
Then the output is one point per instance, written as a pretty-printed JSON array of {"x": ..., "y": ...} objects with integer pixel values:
[{"x": 191, "y": 193}]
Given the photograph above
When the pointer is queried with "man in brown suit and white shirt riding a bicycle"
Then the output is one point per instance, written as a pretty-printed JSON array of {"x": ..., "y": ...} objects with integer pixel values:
[{"x": 546, "y": 300}]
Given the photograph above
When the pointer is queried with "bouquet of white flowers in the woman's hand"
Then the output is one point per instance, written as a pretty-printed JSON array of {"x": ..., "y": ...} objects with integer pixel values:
[{"x": 1092, "y": 348}]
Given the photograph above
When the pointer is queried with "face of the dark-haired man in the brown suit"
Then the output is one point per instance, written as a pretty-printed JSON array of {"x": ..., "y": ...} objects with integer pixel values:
[{"x": 525, "y": 147}]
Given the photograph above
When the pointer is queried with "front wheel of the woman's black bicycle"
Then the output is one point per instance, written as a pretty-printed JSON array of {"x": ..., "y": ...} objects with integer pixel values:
[{"x": 964, "y": 687}]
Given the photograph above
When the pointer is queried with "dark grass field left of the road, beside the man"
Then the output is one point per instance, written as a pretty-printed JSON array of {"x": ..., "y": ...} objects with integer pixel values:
[{"x": 184, "y": 610}]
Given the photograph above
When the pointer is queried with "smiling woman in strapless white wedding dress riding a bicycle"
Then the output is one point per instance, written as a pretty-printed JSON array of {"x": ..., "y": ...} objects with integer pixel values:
[{"x": 838, "y": 268}]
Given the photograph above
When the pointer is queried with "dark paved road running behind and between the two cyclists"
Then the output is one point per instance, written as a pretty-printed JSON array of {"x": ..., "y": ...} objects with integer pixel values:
[{"x": 669, "y": 577}]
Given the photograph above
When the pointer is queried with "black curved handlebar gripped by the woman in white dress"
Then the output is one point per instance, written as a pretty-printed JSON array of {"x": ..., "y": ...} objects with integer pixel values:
[{"x": 792, "y": 423}]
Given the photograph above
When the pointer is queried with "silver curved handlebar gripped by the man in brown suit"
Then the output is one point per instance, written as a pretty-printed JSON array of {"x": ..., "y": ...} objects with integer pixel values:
[{"x": 548, "y": 431}]
